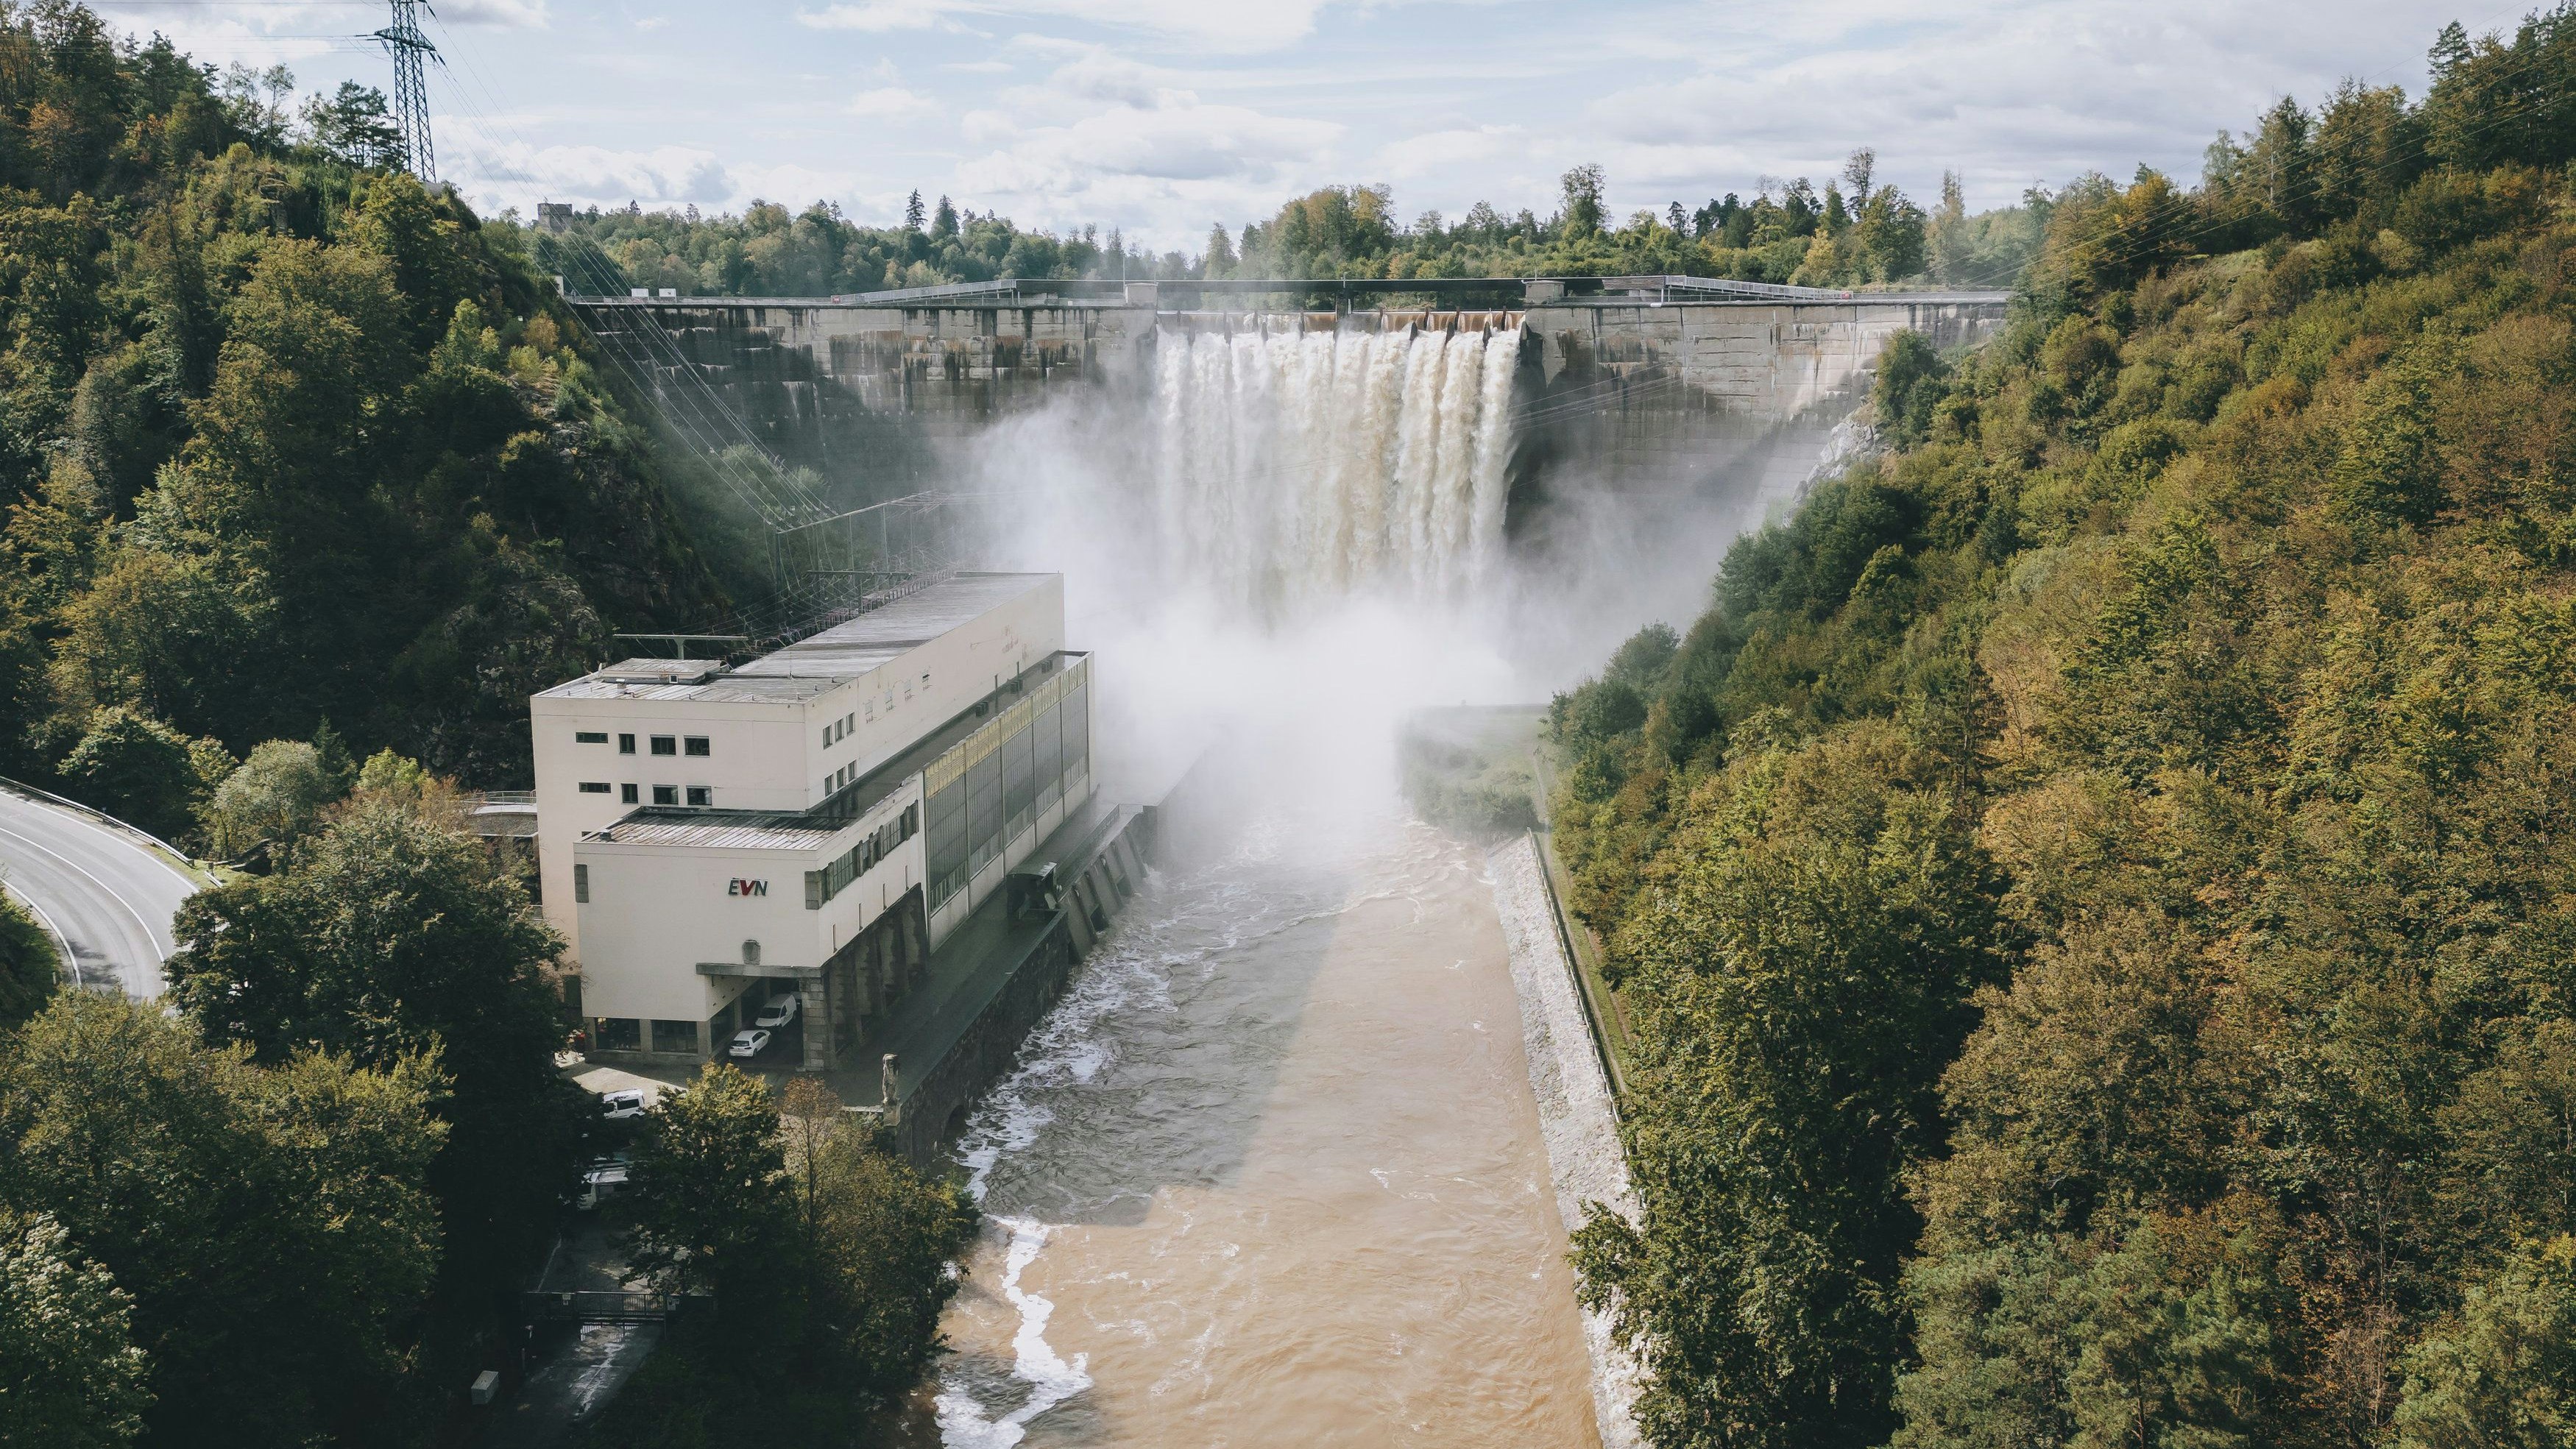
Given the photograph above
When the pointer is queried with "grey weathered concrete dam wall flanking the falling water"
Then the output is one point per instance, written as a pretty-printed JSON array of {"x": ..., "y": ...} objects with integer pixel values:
[{"x": 1624, "y": 395}]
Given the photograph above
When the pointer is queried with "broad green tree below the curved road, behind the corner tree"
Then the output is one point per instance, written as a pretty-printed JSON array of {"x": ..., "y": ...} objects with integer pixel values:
[{"x": 269, "y": 1224}]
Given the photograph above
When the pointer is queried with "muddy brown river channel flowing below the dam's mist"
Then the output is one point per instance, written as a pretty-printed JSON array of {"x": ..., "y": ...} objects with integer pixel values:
[{"x": 1271, "y": 1172}]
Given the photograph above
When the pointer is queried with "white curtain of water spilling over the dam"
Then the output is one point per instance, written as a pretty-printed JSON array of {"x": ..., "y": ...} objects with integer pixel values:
[{"x": 1300, "y": 467}]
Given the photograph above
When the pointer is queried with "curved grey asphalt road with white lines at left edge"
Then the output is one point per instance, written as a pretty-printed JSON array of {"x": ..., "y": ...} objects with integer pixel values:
[{"x": 102, "y": 892}]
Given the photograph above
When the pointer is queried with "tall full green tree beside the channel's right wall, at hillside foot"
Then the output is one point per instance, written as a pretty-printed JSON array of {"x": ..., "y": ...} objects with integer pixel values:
[{"x": 1804, "y": 979}]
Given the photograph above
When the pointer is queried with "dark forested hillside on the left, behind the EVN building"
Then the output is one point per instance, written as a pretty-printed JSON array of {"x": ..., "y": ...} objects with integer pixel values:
[{"x": 287, "y": 439}]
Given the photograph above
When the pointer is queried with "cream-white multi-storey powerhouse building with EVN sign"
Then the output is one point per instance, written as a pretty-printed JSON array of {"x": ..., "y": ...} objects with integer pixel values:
[{"x": 810, "y": 822}]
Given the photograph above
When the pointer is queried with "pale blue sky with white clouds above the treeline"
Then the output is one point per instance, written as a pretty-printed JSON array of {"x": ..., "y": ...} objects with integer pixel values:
[{"x": 1166, "y": 117}]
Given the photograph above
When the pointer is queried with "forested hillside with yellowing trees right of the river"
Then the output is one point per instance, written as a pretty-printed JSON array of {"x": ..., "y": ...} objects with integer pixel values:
[{"x": 2093, "y": 889}]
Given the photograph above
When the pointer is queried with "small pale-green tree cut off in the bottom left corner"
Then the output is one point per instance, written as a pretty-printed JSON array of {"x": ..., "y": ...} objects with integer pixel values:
[{"x": 71, "y": 1376}]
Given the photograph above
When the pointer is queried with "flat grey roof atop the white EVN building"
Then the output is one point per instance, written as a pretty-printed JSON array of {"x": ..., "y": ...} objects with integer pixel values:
[{"x": 813, "y": 665}]
